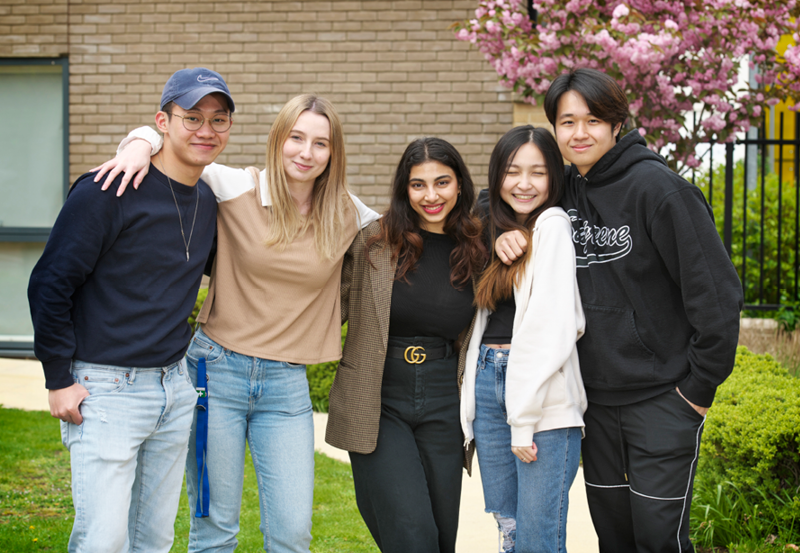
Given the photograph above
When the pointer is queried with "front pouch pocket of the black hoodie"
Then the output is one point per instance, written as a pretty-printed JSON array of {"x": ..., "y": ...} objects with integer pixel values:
[{"x": 612, "y": 355}]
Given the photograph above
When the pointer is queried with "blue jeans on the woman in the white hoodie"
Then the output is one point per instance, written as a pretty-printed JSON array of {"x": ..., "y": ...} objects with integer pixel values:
[{"x": 535, "y": 494}]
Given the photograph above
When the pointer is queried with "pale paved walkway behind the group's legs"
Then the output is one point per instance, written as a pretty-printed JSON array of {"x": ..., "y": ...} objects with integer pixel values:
[{"x": 22, "y": 387}]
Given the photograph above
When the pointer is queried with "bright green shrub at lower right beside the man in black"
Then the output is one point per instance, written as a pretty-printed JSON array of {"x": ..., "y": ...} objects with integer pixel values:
[{"x": 749, "y": 455}]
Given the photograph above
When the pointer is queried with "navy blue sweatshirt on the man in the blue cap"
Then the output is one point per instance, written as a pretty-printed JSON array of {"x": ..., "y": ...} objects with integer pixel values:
[{"x": 113, "y": 285}]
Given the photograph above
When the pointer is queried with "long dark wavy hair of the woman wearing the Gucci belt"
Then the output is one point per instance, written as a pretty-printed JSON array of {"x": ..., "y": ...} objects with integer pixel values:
[{"x": 400, "y": 224}]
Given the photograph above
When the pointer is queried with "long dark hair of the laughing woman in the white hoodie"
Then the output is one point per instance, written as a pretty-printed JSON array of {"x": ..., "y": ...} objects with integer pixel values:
[{"x": 497, "y": 282}]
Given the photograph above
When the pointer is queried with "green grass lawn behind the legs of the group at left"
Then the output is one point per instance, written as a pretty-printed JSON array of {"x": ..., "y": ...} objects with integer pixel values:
[{"x": 36, "y": 504}]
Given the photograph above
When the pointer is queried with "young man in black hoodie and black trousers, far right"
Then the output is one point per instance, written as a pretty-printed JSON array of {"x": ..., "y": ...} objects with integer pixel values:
[{"x": 662, "y": 302}]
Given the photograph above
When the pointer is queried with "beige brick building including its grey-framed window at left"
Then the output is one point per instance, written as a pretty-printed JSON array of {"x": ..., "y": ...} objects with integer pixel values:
[{"x": 76, "y": 75}]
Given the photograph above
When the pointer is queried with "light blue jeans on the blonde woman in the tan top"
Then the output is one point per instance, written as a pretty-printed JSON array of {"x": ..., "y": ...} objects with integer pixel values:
[{"x": 266, "y": 404}]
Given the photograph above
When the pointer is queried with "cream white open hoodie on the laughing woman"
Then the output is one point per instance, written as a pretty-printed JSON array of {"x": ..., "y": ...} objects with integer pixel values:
[{"x": 544, "y": 389}]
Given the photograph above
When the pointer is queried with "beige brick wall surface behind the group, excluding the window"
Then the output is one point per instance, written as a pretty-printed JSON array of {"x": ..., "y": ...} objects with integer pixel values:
[{"x": 393, "y": 69}]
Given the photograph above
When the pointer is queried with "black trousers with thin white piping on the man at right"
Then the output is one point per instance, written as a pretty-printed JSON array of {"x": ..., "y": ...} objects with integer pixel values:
[{"x": 639, "y": 464}]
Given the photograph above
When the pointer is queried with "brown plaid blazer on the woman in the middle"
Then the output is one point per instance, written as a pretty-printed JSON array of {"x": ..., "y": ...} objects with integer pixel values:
[{"x": 355, "y": 397}]
